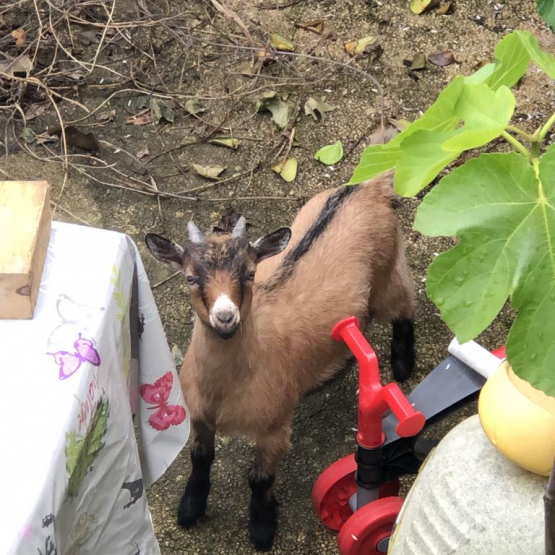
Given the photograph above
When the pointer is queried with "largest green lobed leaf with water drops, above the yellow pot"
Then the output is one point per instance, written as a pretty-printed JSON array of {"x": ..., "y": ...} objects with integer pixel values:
[{"x": 506, "y": 224}]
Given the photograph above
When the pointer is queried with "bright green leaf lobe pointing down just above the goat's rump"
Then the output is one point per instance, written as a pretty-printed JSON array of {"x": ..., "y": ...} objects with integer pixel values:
[{"x": 422, "y": 158}]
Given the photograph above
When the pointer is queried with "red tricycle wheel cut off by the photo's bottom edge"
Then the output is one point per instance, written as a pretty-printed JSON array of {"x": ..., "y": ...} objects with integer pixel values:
[{"x": 368, "y": 530}]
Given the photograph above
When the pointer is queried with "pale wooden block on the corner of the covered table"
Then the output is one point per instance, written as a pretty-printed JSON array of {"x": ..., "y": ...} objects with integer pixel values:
[{"x": 24, "y": 235}]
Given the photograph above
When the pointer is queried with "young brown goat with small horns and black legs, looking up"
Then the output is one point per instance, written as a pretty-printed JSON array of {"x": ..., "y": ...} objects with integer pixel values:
[{"x": 264, "y": 313}]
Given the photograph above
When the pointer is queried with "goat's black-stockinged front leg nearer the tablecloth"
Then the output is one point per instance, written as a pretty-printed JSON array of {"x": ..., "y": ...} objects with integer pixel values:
[{"x": 193, "y": 502}]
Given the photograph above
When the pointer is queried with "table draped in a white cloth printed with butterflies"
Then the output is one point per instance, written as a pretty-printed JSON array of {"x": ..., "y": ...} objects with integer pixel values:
[{"x": 91, "y": 366}]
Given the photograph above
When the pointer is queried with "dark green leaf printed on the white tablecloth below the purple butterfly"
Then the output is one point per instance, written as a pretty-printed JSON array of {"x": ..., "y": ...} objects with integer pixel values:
[{"x": 81, "y": 452}]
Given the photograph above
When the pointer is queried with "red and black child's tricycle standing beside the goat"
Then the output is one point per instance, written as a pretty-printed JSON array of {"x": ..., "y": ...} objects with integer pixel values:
[{"x": 358, "y": 494}]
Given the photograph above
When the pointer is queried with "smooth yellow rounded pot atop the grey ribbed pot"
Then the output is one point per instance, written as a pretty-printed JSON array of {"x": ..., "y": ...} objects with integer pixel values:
[{"x": 519, "y": 420}]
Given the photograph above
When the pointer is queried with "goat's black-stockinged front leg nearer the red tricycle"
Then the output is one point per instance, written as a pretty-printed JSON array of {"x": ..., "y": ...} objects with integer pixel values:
[{"x": 270, "y": 448}]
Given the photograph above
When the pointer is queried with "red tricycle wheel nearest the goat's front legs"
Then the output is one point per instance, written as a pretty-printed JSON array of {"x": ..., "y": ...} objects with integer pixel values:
[{"x": 333, "y": 489}]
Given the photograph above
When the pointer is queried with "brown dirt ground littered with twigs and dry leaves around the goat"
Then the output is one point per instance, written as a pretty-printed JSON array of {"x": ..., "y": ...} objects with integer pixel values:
[{"x": 173, "y": 52}]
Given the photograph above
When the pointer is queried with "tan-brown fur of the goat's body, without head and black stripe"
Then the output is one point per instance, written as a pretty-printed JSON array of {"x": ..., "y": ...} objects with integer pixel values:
[{"x": 251, "y": 383}]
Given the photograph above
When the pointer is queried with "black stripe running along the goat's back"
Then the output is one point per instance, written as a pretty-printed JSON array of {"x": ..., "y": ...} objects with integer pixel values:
[{"x": 330, "y": 209}]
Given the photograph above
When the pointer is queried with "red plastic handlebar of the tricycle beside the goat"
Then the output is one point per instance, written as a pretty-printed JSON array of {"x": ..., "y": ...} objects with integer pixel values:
[{"x": 374, "y": 399}]
